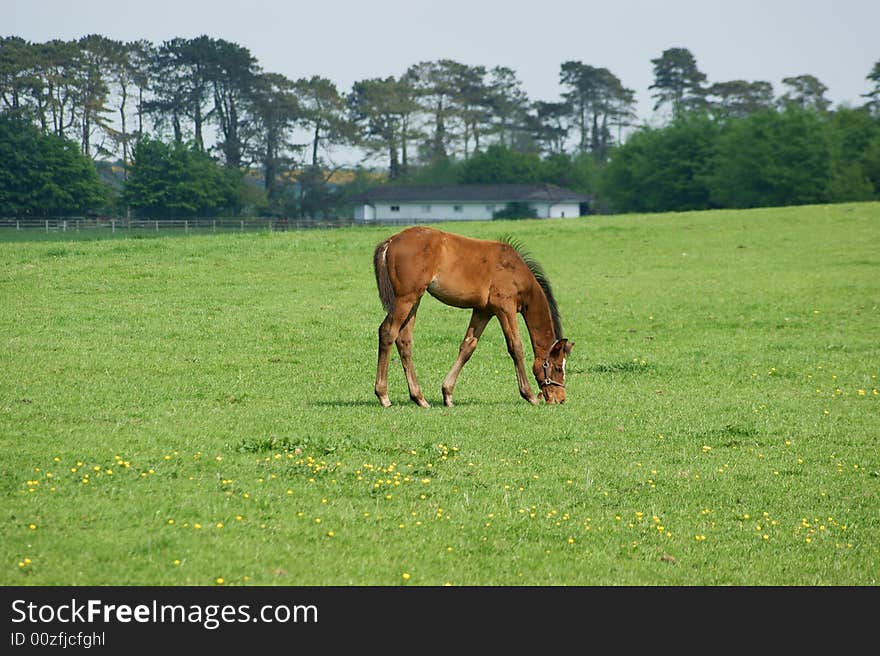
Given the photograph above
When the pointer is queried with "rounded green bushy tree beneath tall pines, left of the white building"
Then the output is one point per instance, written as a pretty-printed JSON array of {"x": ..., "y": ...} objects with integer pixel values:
[{"x": 178, "y": 180}]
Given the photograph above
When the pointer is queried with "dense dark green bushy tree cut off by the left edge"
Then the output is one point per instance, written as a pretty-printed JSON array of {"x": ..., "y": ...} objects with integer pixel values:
[{"x": 44, "y": 175}]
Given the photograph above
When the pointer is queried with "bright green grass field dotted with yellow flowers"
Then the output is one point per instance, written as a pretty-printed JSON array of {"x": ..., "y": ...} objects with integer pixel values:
[{"x": 198, "y": 410}]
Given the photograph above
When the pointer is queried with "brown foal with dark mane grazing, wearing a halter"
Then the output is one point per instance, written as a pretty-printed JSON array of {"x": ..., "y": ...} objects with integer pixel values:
[{"x": 493, "y": 278}]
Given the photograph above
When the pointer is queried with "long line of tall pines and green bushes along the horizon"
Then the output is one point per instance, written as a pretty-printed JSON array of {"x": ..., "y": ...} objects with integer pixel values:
[{"x": 196, "y": 127}]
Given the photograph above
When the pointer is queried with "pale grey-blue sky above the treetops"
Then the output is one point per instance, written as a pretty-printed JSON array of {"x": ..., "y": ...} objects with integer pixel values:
[{"x": 348, "y": 40}]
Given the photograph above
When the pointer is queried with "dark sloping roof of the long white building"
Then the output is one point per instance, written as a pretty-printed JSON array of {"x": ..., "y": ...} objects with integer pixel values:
[{"x": 504, "y": 193}]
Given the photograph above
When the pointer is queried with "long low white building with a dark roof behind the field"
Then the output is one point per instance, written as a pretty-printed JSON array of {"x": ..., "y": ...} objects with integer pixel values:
[{"x": 426, "y": 203}]
